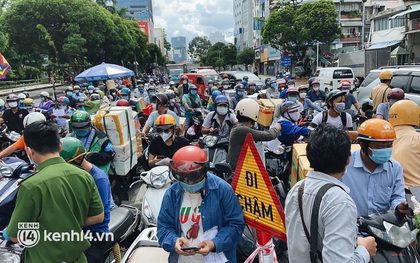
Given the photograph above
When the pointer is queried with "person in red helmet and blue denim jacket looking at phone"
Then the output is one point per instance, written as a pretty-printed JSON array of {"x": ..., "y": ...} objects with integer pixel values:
[{"x": 200, "y": 213}]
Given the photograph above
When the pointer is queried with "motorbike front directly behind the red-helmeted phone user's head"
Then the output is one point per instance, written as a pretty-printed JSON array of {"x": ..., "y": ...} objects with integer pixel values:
[{"x": 216, "y": 148}]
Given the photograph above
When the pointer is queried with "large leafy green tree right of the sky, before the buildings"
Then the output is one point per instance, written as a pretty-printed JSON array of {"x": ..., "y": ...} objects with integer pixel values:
[{"x": 295, "y": 28}]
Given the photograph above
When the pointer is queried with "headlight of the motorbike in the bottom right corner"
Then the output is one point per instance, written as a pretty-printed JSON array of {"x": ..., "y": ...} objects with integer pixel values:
[{"x": 398, "y": 236}]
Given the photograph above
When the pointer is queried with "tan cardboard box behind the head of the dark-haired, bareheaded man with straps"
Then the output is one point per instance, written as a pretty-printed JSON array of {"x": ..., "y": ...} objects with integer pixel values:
[{"x": 300, "y": 163}]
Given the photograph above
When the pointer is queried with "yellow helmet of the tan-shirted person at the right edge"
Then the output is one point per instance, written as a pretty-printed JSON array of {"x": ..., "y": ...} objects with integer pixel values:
[{"x": 404, "y": 112}]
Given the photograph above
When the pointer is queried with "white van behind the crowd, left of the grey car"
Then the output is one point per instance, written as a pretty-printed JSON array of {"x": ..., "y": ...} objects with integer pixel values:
[{"x": 331, "y": 77}]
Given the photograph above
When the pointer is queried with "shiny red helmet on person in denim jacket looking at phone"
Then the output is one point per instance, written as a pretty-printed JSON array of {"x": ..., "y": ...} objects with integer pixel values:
[{"x": 189, "y": 164}]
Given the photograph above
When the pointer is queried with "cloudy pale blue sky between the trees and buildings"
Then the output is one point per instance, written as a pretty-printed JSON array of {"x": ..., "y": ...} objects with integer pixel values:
[{"x": 191, "y": 18}]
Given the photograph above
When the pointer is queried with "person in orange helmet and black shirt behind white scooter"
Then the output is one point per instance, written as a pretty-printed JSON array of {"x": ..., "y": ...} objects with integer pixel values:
[{"x": 167, "y": 143}]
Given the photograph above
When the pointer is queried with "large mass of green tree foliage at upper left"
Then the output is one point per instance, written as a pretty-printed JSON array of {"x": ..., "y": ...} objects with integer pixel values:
[{"x": 77, "y": 33}]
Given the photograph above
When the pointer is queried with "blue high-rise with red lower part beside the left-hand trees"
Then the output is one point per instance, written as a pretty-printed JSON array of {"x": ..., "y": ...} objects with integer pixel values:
[{"x": 142, "y": 12}]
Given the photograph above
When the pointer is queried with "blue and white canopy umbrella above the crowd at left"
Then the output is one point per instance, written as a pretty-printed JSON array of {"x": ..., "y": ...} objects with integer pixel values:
[{"x": 104, "y": 71}]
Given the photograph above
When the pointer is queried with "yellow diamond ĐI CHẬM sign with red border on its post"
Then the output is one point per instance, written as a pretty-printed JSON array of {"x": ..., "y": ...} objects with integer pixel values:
[{"x": 260, "y": 204}]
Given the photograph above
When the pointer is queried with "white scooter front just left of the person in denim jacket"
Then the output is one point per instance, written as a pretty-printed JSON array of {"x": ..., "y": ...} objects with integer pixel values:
[{"x": 158, "y": 180}]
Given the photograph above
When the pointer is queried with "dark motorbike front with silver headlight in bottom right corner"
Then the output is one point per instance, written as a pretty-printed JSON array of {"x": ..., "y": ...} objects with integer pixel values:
[{"x": 394, "y": 234}]
